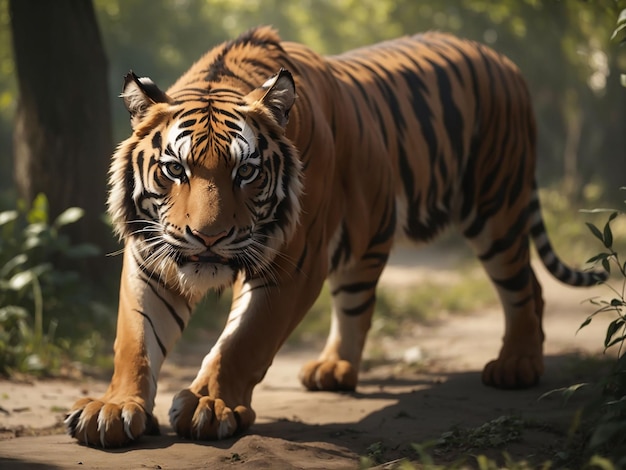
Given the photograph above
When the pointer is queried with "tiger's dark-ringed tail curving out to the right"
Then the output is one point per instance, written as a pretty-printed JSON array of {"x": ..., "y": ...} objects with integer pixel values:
[{"x": 549, "y": 258}]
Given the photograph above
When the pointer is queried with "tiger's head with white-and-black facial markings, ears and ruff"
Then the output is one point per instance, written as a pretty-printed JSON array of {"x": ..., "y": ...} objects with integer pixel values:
[{"x": 208, "y": 185}]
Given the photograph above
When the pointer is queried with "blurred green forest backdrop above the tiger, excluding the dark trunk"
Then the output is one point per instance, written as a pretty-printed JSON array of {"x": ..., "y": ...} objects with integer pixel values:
[{"x": 562, "y": 47}]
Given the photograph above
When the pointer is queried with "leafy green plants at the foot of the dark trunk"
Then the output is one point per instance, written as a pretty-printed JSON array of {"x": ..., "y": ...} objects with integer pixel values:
[{"x": 40, "y": 295}]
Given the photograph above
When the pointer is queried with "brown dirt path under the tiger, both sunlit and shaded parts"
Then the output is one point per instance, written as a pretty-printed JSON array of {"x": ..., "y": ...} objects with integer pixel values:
[{"x": 395, "y": 405}]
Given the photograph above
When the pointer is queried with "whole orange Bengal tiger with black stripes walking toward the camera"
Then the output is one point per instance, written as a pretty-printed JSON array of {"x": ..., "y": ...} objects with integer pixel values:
[{"x": 271, "y": 168}]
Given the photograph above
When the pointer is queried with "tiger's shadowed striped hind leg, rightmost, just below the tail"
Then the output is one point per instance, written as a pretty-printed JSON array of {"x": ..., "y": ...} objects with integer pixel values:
[{"x": 507, "y": 262}]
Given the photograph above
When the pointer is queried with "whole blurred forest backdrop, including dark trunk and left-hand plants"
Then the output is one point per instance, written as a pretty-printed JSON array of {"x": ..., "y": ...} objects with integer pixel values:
[{"x": 72, "y": 55}]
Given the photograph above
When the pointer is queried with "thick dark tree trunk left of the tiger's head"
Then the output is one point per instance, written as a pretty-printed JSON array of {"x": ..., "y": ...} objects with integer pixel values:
[{"x": 62, "y": 135}]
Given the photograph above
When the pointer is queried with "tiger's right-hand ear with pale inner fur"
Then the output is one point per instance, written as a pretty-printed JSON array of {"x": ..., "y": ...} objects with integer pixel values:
[{"x": 277, "y": 95}]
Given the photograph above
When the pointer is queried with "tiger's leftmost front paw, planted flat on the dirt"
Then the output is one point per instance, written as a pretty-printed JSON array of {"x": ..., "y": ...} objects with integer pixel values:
[{"x": 109, "y": 424}]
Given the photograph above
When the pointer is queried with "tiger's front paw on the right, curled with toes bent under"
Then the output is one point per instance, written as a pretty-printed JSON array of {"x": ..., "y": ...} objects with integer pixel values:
[{"x": 204, "y": 418}]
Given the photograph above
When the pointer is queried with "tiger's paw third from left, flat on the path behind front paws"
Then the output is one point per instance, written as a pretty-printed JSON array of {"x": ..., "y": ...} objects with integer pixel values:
[{"x": 329, "y": 375}]
